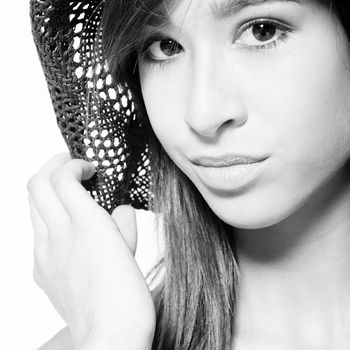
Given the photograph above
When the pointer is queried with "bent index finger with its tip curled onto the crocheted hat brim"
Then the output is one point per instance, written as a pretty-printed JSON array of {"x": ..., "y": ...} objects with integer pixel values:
[{"x": 74, "y": 198}]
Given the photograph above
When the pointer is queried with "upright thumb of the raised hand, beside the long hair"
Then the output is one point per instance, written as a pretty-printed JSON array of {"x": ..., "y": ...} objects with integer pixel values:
[{"x": 125, "y": 218}]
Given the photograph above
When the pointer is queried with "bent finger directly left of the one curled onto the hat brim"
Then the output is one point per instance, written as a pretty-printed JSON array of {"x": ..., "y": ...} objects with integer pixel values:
[{"x": 47, "y": 205}]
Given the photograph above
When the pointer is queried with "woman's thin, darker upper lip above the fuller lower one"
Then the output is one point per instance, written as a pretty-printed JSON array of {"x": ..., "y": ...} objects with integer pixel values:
[{"x": 227, "y": 160}]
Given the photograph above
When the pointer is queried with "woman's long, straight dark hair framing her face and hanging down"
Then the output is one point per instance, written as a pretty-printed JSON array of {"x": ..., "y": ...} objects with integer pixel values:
[{"x": 196, "y": 299}]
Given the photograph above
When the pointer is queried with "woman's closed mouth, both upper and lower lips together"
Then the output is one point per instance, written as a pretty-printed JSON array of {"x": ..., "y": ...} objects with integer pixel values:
[{"x": 229, "y": 174}]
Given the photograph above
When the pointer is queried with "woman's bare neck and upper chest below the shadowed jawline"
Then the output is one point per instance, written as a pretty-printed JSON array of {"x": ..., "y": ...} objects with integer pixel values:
[{"x": 295, "y": 274}]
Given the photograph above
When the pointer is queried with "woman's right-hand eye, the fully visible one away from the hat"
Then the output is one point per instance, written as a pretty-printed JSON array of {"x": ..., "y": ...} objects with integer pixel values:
[{"x": 262, "y": 33}]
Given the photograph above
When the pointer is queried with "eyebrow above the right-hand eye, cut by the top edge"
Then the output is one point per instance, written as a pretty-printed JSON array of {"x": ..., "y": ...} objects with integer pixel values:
[{"x": 227, "y": 8}]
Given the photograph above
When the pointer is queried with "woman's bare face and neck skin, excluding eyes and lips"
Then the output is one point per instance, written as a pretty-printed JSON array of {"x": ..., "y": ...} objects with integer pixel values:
[{"x": 290, "y": 102}]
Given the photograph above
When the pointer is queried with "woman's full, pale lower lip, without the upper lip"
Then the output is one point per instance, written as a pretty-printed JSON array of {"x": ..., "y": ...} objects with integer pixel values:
[{"x": 232, "y": 177}]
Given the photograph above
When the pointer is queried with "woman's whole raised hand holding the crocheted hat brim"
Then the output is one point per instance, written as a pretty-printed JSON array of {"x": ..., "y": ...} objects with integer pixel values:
[{"x": 83, "y": 257}]
